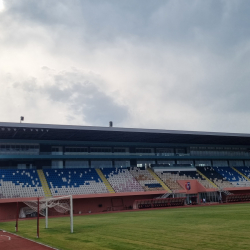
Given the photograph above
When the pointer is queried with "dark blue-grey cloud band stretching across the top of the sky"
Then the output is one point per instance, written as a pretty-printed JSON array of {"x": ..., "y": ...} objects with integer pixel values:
[{"x": 216, "y": 21}]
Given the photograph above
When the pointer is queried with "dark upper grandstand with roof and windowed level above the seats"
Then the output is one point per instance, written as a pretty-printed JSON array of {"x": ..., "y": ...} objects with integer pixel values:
[{"x": 39, "y": 146}]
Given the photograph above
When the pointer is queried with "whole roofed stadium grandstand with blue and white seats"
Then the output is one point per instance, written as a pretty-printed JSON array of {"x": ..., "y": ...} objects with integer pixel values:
[{"x": 110, "y": 168}]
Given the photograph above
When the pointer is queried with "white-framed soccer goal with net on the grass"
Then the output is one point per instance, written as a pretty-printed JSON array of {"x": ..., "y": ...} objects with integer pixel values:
[{"x": 42, "y": 206}]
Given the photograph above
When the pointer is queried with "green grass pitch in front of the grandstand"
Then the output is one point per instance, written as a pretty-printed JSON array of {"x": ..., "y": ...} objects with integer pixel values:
[{"x": 209, "y": 227}]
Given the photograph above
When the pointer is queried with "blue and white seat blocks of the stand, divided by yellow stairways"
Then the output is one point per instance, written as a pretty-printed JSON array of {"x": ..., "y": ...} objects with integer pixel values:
[{"x": 16, "y": 183}]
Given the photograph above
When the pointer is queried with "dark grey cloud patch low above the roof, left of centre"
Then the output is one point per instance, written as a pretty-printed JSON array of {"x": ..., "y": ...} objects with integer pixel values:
[{"x": 84, "y": 94}]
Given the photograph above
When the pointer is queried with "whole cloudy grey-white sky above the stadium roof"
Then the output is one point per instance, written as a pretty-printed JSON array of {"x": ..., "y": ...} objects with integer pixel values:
[{"x": 166, "y": 64}]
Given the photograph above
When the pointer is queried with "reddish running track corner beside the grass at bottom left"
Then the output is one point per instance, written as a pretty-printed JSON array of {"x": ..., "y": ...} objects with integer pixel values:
[{"x": 10, "y": 241}]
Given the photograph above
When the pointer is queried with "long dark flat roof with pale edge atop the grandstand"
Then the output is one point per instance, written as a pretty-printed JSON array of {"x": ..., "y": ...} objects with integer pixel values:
[{"x": 28, "y": 131}]
